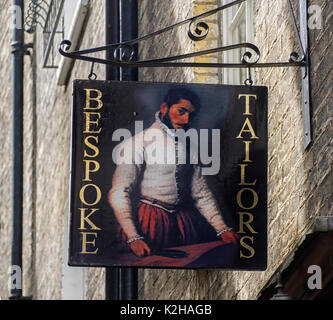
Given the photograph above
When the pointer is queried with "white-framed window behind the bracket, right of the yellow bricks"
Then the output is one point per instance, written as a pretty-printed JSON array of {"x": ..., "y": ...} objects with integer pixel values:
[{"x": 237, "y": 27}]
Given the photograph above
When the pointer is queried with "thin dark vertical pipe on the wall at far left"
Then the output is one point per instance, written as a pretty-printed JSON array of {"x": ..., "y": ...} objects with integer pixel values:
[{"x": 17, "y": 146}]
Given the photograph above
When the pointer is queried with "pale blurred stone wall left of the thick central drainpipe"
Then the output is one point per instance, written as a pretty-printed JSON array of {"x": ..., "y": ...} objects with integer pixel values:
[{"x": 47, "y": 123}]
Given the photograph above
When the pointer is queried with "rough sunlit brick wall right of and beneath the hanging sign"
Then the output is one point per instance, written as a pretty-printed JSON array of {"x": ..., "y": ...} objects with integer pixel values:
[{"x": 300, "y": 182}]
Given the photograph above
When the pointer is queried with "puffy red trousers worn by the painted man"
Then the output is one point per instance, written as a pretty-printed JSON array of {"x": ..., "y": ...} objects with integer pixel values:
[{"x": 162, "y": 229}]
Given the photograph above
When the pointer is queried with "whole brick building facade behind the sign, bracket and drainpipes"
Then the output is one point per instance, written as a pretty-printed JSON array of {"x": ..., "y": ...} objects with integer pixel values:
[{"x": 300, "y": 181}]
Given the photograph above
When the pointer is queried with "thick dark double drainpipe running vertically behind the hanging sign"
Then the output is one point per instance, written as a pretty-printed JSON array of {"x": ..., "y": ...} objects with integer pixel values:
[{"x": 121, "y": 20}]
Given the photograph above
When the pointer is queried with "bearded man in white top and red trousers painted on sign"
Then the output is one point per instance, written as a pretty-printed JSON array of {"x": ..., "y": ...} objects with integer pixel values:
[{"x": 163, "y": 217}]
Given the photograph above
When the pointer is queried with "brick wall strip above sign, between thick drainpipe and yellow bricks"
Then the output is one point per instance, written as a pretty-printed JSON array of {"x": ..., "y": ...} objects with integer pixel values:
[{"x": 154, "y": 17}]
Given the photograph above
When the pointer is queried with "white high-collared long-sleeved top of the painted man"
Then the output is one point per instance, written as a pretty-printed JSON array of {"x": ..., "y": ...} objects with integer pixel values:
[{"x": 154, "y": 163}]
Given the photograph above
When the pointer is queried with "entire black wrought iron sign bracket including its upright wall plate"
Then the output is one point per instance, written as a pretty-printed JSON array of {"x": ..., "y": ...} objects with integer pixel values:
[{"x": 124, "y": 53}]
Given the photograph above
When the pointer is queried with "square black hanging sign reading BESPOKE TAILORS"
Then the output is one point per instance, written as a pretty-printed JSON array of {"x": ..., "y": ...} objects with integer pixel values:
[{"x": 168, "y": 175}]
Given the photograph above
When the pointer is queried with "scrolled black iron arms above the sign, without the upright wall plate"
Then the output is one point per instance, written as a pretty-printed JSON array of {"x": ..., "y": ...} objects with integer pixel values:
[{"x": 197, "y": 31}]
